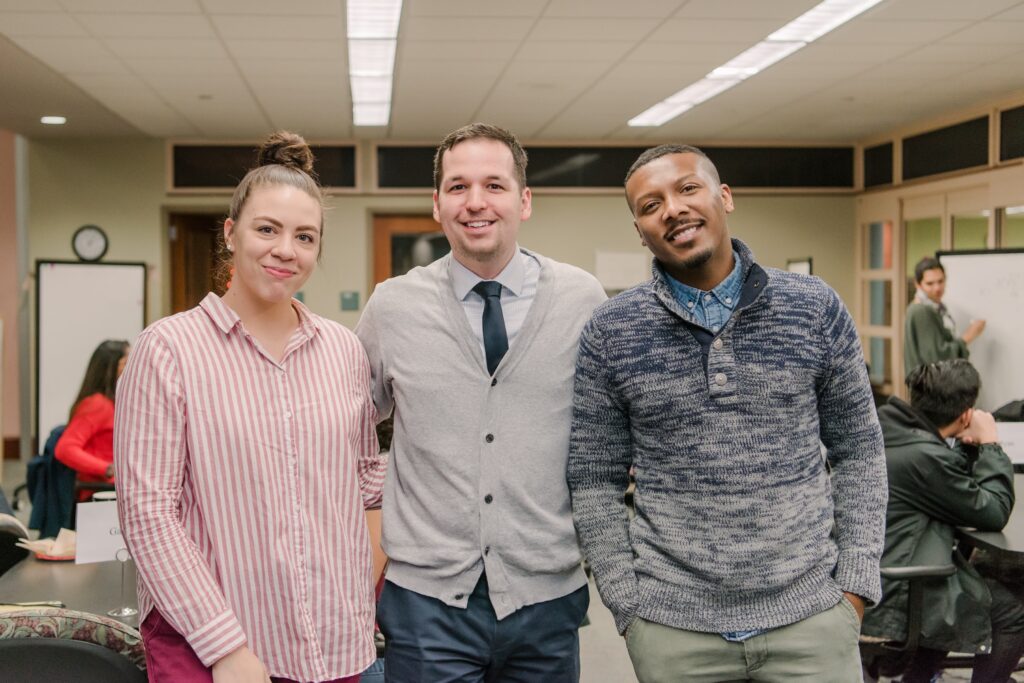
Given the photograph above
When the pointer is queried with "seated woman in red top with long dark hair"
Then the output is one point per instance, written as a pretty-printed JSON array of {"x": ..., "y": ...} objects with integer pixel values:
[{"x": 88, "y": 445}]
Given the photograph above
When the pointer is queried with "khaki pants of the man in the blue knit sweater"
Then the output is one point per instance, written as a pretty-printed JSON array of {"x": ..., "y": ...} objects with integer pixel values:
[{"x": 822, "y": 649}]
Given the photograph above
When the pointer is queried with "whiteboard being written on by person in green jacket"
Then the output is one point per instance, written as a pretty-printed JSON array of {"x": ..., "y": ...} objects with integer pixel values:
[{"x": 991, "y": 286}]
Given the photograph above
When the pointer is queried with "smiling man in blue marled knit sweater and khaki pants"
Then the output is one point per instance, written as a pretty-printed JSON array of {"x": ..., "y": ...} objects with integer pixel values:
[{"x": 749, "y": 557}]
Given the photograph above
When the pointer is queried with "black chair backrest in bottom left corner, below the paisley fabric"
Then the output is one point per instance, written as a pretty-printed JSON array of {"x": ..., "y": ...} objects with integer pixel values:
[{"x": 49, "y": 660}]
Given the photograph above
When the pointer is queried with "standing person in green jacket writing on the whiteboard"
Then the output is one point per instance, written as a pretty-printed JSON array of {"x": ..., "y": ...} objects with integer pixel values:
[{"x": 930, "y": 334}]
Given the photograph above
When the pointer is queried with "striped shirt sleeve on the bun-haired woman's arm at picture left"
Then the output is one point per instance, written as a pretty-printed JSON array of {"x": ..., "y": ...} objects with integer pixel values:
[{"x": 150, "y": 462}]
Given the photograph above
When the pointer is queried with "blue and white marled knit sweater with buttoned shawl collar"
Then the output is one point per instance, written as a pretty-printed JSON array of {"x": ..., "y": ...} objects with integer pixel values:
[{"x": 739, "y": 525}]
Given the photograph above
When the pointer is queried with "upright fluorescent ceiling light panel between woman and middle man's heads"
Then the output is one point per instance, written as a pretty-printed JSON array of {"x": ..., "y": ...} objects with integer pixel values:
[{"x": 373, "y": 33}]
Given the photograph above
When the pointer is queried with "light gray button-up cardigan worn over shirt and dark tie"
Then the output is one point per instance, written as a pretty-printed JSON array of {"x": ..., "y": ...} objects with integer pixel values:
[{"x": 478, "y": 473}]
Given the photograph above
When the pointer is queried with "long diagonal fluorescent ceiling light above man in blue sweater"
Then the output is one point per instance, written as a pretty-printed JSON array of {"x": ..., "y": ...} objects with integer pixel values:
[{"x": 797, "y": 34}]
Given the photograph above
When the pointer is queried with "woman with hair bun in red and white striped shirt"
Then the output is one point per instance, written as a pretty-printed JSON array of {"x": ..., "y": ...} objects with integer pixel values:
[{"x": 246, "y": 454}]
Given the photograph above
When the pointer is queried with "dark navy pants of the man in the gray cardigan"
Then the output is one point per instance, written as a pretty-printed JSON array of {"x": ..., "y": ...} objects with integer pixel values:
[{"x": 428, "y": 641}]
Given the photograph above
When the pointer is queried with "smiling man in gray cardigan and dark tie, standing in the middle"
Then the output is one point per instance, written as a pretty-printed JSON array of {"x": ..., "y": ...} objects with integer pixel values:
[{"x": 476, "y": 355}]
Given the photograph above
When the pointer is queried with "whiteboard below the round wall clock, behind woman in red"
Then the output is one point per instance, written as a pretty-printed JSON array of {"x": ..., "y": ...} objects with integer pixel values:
[{"x": 79, "y": 306}]
